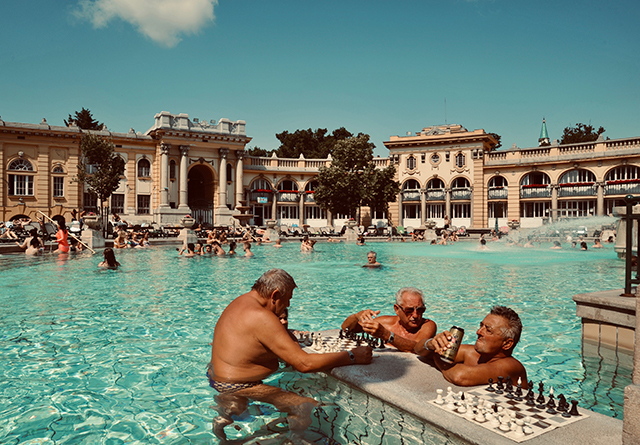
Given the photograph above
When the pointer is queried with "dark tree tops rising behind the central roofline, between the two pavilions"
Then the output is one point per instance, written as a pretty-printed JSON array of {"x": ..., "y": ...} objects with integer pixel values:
[{"x": 312, "y": 144}]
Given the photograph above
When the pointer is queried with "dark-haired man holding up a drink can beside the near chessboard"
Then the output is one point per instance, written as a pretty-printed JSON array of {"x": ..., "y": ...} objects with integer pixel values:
[{"x": 490, "y": 357}]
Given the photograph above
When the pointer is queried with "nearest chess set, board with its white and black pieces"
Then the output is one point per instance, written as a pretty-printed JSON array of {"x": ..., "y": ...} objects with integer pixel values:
[{"x": 508, "y": 411}]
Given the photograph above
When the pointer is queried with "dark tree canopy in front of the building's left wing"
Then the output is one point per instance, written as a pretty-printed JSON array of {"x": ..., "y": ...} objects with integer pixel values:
[{"x": 100, "y": 167}]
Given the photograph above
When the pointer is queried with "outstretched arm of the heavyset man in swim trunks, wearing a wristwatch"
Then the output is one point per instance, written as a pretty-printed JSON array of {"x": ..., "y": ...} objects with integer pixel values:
[{"x": 275, "y": 337}]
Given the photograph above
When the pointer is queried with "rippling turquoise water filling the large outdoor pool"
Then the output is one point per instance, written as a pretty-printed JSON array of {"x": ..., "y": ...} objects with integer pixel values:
[{"x": 118, "y": 356}]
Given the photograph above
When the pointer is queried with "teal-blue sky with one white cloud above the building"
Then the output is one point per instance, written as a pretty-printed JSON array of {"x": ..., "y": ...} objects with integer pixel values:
[{"x": 374, "y": 67}]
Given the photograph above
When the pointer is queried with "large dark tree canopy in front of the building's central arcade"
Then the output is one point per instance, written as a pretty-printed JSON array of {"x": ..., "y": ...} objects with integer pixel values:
[{"x": 352, "y": 179}]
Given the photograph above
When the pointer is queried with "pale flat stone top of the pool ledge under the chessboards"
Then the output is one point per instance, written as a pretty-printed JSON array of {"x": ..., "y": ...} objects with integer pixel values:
[{"x": 406, "y": 382}]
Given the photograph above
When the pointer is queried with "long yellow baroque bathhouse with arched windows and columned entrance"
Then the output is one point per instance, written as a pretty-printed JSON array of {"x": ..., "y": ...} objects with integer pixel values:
[{"x": 190, "y": 166}]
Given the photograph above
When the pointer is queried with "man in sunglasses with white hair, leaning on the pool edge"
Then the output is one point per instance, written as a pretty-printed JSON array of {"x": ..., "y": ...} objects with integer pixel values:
[{"x": 404, "y": 330}]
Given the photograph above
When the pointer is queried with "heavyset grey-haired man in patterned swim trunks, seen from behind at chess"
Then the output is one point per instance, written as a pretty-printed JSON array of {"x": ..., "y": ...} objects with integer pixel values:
[{"x": 248, "y": 341}]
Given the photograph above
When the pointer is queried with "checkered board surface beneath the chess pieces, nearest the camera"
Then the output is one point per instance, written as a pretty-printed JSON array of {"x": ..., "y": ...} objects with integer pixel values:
[{"x": 538, "y": 420}]
